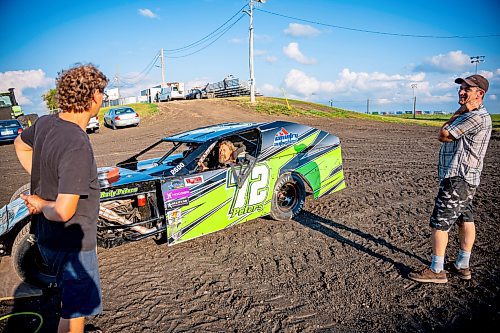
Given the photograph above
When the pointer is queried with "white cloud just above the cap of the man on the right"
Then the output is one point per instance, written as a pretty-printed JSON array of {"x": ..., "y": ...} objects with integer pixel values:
[{"x": 452, "y": 62}]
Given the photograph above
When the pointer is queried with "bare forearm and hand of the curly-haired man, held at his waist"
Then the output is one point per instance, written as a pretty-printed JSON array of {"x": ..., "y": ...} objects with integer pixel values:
[{"x": 61, "y": 210}]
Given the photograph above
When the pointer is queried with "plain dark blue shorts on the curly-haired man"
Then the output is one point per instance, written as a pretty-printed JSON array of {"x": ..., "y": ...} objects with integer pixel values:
[{"x": 78, "y": 279}]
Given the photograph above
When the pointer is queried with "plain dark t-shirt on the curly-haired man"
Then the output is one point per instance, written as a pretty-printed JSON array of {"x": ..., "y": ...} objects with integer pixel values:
[{"x": 63, "y": 162}]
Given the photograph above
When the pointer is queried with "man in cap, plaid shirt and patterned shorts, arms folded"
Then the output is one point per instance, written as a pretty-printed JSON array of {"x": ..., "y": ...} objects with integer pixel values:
[{"x": 464, "y": 140}]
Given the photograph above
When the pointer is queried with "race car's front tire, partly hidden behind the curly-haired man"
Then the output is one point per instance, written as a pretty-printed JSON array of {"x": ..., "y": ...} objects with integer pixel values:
[{"x": 27, "y": 261}]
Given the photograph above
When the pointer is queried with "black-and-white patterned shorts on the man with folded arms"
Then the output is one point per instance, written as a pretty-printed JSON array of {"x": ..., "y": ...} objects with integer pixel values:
[{"x": 453, "y": 204}]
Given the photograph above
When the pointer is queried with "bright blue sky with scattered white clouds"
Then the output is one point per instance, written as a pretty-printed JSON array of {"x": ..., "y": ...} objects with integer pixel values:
[{"x": 349, "y": 54}]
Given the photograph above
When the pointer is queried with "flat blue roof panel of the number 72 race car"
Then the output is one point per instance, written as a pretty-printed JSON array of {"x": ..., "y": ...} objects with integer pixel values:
[{"x": 208, "y": 133}]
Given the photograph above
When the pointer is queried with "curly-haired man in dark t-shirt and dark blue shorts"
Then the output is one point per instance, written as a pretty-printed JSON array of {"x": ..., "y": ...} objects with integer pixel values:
[{"x": 64, "y": 198}]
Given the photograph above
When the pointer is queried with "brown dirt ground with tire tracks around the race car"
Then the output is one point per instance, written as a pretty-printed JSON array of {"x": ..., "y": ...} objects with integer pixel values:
[{"x": 341, "y": 266}]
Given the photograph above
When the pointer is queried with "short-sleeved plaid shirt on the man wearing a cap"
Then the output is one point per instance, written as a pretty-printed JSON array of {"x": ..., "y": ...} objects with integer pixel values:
[{"x": 464, "y": 156}]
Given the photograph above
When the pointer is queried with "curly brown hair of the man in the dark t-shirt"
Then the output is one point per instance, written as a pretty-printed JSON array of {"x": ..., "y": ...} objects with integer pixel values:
[{"x": 77, "y": 85}]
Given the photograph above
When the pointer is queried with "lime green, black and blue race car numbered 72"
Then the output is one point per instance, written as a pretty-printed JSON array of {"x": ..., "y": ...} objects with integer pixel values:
[{"x": 179, "y": 189}]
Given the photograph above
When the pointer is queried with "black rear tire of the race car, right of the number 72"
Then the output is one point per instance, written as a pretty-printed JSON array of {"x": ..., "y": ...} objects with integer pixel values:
[{"x": 288, "y": 197}]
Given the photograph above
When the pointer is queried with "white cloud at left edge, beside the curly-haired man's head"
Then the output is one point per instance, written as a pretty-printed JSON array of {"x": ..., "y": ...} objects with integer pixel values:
[{"x": 22, "y": 80}]
